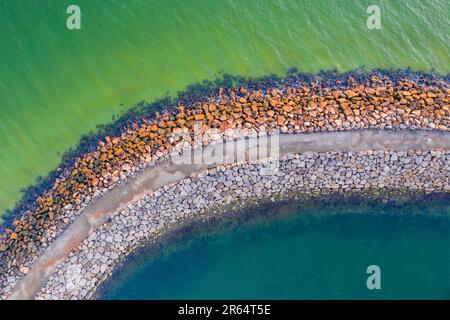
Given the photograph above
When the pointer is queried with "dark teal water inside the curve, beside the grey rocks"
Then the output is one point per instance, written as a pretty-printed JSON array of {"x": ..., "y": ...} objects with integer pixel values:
[{"x": 300, "y": 253}]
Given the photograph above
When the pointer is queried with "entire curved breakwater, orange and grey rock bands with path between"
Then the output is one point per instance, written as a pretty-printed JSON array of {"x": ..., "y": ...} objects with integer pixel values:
[{"x": 409, "y": 152}]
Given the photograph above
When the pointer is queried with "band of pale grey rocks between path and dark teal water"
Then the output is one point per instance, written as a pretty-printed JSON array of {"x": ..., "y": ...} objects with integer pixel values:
[{"x": 202, "y": 194}]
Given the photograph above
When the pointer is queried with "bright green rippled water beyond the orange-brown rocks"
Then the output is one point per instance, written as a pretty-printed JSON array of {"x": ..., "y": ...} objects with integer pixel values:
[{"x": 56, "y": 84}]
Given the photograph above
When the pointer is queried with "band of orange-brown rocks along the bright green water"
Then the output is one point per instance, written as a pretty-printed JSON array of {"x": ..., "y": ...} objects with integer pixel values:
[{"x": 291, "y": 105}]
